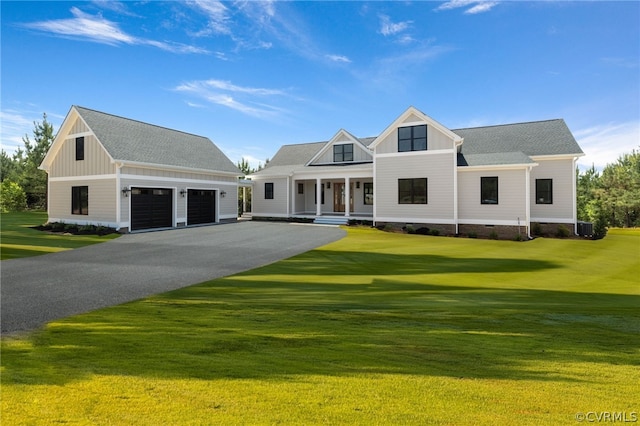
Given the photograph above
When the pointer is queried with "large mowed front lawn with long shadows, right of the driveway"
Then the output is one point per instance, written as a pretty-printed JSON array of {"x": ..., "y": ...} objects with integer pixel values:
[{"x": 377, "y": 328}]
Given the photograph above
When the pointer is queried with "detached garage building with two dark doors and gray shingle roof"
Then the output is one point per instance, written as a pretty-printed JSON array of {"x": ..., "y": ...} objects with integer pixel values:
[{"x": 122, "y": 173}]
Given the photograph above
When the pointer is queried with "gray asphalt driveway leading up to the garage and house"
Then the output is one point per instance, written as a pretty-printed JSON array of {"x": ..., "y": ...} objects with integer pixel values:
[{"x": 40, "y": 289}]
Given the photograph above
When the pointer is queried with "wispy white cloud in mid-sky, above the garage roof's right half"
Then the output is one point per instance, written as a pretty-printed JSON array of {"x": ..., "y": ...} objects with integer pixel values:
[{"x": 239, "y": 98}]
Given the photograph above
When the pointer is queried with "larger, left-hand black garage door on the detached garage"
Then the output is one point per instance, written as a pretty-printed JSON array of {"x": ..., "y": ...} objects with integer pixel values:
[{"x": 151, "y": 208}]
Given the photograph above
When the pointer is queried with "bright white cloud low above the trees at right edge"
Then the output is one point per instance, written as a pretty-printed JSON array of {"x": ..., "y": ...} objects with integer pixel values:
[{"x": 604, "y": 144}]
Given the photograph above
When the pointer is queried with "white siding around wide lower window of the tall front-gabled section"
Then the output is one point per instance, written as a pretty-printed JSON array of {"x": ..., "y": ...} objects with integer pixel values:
[{"x": 436, "y": 166}]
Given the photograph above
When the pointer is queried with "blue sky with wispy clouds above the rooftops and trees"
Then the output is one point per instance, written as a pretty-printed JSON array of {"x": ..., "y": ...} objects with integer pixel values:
[{"x": 254, "y": 75}]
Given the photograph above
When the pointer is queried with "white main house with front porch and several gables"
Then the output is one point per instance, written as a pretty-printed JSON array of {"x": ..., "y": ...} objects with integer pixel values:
[{"x": 484, "y": 180}]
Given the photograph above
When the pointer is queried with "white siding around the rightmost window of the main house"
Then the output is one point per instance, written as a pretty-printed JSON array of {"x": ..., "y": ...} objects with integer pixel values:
[{"x": 562, "y": 173}]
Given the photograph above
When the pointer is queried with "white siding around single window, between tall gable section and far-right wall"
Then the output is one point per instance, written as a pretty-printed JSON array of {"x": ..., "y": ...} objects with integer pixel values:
[{"x": 511, "y": 206}]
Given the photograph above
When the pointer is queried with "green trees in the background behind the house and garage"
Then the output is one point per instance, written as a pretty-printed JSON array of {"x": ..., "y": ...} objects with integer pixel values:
[{"x": 610, "y": 198}]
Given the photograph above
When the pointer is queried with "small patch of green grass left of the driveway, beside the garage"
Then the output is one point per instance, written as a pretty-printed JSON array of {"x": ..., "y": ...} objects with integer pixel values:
[{"x": 19, "y": 240}]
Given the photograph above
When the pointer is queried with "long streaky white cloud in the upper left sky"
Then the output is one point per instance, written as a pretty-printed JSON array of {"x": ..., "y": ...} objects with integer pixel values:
[{"x": 97, "y": 29}]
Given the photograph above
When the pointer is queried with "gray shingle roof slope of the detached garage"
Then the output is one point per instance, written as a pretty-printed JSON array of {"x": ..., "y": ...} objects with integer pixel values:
[{"x": 134, "y": 141}]
